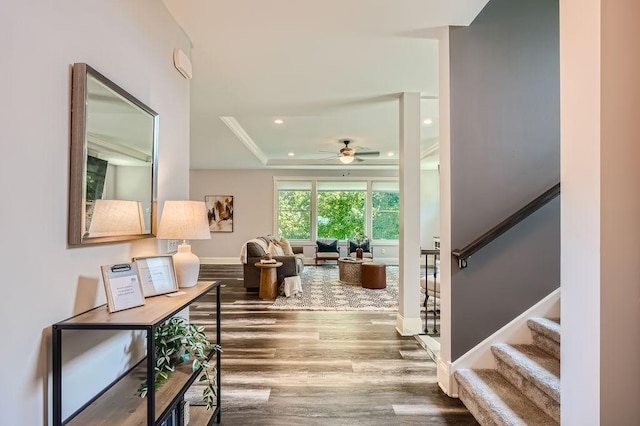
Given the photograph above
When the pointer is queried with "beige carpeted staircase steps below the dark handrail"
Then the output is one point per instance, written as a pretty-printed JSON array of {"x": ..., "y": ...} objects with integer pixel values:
[{"x": 524, "y": 389}]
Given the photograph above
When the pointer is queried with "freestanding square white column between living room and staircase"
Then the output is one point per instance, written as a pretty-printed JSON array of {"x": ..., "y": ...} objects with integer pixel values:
[{"x": 408, "y": 321}]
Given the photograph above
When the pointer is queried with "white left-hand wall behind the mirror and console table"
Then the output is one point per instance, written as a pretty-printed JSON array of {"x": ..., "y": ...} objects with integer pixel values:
[{"x": 43, "y": 281}]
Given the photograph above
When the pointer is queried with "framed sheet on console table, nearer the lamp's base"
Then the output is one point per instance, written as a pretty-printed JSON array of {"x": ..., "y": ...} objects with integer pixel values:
[{"x": 157, "y": 275}]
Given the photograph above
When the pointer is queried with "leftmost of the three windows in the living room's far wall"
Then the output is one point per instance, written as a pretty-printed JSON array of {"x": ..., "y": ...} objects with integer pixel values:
[{"x": 294, "y": 210}]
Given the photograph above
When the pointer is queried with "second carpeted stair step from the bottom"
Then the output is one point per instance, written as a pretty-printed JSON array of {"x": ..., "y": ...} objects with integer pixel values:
[{"x": 535, "y": 365}]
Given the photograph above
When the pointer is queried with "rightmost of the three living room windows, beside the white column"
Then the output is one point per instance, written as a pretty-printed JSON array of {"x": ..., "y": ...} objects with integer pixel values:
[{"x": 385, "y": 202}]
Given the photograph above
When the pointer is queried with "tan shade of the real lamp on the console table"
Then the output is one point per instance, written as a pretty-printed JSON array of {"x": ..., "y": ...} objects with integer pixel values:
[{"x": 184, "y": 220}]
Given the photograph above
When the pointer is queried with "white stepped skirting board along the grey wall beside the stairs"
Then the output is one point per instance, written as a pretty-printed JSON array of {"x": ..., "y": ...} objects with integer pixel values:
[{"x": 514, "y": 332}]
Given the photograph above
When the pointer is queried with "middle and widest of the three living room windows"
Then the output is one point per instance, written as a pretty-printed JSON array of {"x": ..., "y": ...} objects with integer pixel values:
[{"x": 341, "y": 209}]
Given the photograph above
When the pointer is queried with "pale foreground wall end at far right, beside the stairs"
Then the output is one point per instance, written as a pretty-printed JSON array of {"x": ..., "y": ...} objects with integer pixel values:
[{"x": 600, "y": 209}]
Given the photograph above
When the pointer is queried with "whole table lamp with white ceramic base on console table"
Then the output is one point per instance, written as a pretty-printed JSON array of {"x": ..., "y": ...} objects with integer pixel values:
[{"x": 185, "y": 220}]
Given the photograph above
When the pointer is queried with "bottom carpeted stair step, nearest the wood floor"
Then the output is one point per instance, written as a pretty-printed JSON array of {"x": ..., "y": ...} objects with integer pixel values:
[{"x": 494, "y": 401}]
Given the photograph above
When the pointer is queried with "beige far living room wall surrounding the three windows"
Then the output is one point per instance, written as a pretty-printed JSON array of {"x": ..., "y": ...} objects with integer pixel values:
[{"x": 253, "y": 207}]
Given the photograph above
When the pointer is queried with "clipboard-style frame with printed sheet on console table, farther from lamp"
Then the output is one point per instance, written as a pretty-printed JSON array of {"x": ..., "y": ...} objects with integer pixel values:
[{"x": 122, "y": 286}]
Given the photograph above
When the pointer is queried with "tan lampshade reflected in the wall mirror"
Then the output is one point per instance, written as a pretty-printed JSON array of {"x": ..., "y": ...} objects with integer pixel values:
[{"x": 116, "y": 217}]
